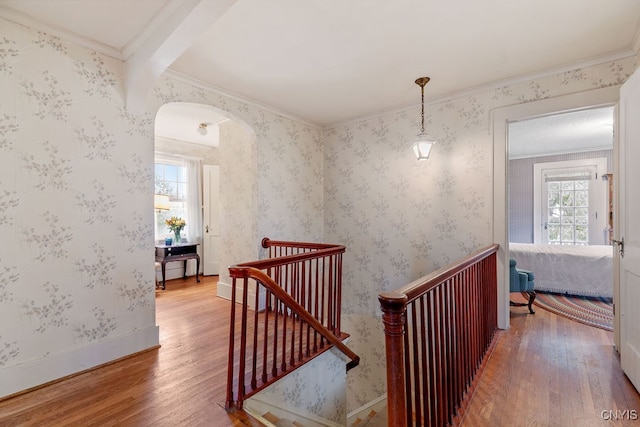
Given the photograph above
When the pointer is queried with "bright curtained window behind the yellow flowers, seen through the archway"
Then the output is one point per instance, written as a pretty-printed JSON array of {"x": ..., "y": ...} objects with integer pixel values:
[{"x": 170, "y": 180}]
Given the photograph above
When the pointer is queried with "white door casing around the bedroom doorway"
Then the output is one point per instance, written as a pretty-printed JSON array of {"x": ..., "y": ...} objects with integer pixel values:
[{"x": 502, "y": 118}]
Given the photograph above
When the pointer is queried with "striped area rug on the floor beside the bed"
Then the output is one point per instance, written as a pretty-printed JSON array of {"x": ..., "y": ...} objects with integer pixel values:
[{"x": 592, "y": 311}]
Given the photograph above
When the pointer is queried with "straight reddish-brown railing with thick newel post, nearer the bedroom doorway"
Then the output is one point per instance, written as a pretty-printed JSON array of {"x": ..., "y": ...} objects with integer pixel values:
[{"x": 437, "y": 332}]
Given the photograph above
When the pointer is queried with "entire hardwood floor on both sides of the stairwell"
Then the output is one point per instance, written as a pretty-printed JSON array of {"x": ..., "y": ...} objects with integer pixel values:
[{"x": 545, "y": 371}]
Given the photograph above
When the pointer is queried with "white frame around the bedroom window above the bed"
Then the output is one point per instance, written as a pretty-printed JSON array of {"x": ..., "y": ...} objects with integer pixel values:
[{"x": 597, "y": 197}]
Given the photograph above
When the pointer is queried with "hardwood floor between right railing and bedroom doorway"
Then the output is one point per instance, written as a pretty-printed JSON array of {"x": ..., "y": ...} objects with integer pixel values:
[{"x": 547, "y": 370}]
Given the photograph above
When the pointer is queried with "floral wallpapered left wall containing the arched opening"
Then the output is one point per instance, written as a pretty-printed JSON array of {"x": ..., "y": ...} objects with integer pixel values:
[{"x": 76, "y": 186}]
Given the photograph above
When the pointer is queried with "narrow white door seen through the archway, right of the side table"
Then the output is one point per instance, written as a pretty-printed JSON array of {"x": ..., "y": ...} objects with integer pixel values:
[{"x": 211, "y": 223}]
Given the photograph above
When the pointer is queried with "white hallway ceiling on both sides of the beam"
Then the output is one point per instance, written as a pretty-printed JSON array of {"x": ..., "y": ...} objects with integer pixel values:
[{"x": 331, "y": 61}]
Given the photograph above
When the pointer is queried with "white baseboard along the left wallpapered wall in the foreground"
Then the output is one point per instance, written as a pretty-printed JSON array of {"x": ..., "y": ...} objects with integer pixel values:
[{"x": 14, "y": 379}]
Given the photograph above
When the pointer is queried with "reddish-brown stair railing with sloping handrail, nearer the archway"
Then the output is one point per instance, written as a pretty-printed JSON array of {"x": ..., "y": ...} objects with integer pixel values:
[{"x": 294, "y": 314}]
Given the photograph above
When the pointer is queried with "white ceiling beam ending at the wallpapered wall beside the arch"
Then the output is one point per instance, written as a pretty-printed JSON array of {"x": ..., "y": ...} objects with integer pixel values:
[{"x": 170, "y": 39}]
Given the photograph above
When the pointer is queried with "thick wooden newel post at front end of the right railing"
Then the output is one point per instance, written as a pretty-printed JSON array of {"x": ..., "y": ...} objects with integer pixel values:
[{"x": 393, "y": 317}]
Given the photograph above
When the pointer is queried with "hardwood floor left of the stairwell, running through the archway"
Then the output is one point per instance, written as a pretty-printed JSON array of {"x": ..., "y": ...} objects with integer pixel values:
[{"x": 180, "y": 384}]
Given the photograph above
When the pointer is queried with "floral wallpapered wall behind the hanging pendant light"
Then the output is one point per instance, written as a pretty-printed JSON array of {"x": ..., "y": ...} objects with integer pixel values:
[{"x": 400, "y": 218}]
